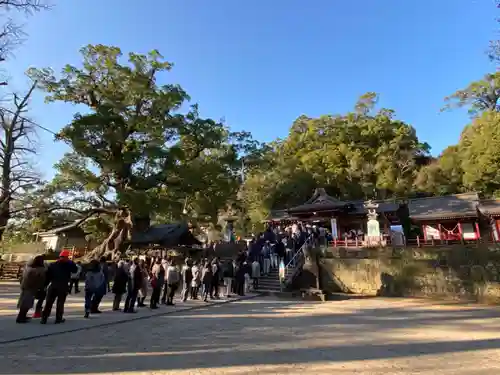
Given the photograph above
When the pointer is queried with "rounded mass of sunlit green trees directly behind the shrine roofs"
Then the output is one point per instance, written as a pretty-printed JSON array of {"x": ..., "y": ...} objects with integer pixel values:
[{"x": 354, "y": 156}]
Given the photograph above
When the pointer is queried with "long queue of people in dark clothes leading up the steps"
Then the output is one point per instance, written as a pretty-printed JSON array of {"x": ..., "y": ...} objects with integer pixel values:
[{"x": 133, "y": 280}]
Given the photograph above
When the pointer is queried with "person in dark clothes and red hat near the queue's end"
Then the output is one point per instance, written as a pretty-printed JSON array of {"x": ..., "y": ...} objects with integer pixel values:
[{"x": 57, "y": 278}]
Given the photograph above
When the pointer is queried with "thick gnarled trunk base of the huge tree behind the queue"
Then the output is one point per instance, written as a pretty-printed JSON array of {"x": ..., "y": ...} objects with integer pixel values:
[{"x": 114, "y": 244}]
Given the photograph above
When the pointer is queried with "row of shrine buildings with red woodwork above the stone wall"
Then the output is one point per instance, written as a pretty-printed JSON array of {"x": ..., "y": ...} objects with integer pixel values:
[{"x": 449, "y": 219}]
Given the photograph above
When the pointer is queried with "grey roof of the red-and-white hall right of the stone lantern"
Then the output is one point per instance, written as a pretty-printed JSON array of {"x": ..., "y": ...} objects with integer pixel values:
[{"x": 450, "y": 206}]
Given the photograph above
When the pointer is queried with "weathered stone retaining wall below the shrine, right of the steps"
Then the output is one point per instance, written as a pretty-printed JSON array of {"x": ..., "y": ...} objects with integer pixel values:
[{"x": 465, "y": 274}]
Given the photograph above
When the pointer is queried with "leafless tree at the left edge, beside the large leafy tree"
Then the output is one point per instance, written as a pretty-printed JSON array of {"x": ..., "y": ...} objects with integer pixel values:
[{"x": 17, "y": 175}]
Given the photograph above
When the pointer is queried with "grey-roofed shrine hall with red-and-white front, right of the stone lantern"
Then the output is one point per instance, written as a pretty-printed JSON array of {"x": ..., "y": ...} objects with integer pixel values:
[{"x": 447, "y": 218}]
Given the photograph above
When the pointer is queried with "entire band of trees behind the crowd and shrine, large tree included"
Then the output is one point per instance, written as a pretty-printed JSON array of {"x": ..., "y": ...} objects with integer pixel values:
[{"x": 134, "y": 152}]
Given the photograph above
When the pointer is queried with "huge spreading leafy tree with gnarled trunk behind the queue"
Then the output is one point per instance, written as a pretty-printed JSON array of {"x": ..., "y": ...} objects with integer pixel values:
[{"x": 133, "y": 151}]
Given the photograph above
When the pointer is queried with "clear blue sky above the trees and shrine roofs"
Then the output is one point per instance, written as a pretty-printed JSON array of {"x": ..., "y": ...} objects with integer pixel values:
[{"x": 260, "y": 64}]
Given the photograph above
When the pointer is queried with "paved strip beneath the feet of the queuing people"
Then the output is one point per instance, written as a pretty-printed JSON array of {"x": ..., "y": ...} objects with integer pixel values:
[{"x": 10, "y": 331}]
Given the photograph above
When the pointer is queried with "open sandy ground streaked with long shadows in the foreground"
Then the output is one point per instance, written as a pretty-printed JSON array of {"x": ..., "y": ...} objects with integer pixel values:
[{"x": 269, "y": 336}]
